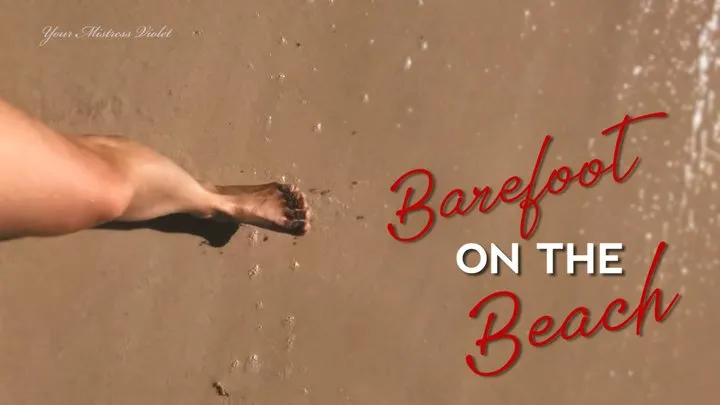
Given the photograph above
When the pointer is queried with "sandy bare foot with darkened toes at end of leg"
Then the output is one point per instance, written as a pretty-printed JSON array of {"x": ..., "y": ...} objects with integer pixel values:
[{"x": 274, "y": 206}]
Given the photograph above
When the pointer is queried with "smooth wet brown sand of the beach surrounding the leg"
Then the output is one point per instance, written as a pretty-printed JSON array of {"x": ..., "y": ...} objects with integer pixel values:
[{"x": 342, "y": 97}]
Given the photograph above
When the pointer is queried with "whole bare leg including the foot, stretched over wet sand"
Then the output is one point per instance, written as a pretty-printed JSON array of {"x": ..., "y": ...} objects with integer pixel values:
[{"x": 52, "y": 184}]
